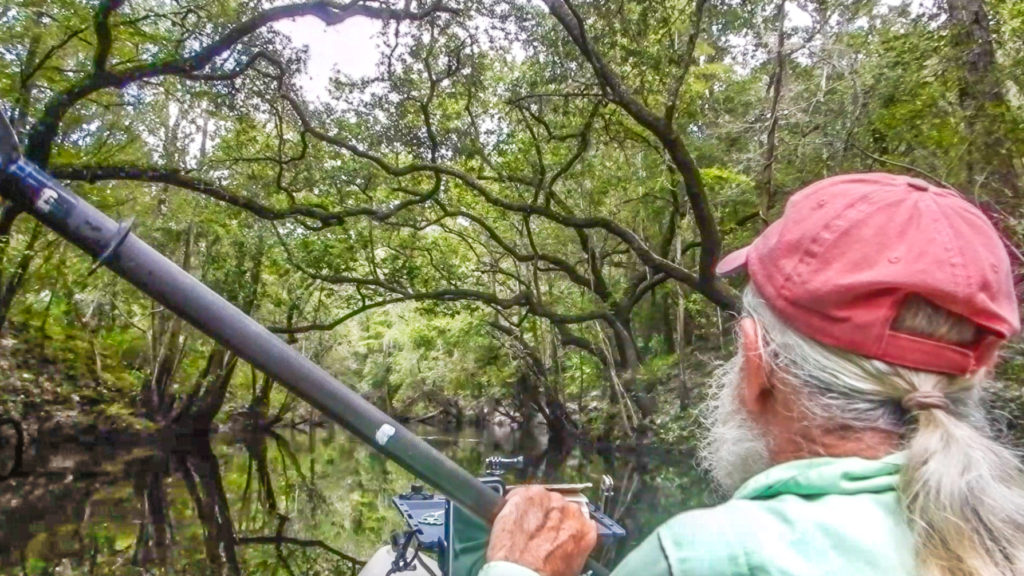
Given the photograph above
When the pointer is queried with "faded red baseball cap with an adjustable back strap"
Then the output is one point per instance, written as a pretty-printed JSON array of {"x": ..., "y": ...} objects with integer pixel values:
[{"x": 848, "y": 252}]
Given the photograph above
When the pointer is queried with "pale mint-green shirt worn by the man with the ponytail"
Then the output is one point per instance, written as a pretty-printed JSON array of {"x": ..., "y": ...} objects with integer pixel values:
[{"x": 836, "y": 517}]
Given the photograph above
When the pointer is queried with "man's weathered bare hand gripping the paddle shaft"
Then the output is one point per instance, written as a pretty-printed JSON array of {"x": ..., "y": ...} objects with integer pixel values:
[{"x": 542, "y": 531}]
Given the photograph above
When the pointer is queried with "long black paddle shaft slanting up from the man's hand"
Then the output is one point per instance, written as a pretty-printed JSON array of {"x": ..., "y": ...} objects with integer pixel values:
[{"x": 116, "y": 248}]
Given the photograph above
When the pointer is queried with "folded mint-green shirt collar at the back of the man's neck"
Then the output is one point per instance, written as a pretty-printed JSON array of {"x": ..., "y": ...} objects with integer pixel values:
[{"x": 816, "y": 477}]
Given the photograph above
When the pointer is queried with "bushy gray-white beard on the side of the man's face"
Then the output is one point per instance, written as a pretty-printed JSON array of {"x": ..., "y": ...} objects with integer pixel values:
[{"x": 733, "y": 448}]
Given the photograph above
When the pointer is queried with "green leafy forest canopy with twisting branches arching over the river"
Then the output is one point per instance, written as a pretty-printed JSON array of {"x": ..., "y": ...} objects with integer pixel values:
[{"x": 483, "y": 219}]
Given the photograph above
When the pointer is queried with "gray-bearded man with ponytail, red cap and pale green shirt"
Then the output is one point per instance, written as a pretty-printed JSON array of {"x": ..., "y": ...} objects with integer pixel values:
[{"x": 850, "y": 426}]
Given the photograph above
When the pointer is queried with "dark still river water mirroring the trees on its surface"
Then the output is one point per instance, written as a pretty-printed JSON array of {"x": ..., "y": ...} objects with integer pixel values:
[{"x": 300, "y": 503}]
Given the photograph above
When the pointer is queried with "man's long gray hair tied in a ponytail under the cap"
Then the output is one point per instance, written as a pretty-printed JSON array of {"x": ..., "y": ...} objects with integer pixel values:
[{"x": 962, "y": 490}]
